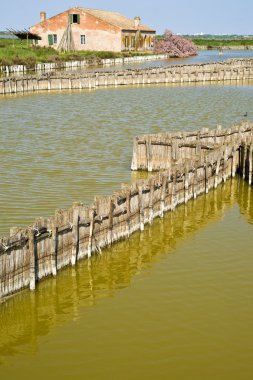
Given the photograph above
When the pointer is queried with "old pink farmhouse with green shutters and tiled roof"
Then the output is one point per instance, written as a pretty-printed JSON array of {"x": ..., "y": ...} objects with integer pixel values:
[{"x": 91, "y": 29}]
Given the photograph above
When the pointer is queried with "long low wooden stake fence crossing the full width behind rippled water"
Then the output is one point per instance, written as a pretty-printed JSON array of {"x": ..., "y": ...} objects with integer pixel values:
[{"x": 230, "y": 70}]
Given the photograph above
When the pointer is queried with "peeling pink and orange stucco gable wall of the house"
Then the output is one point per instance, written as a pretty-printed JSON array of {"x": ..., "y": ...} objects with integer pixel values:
[{"x": 99, "y": 35}]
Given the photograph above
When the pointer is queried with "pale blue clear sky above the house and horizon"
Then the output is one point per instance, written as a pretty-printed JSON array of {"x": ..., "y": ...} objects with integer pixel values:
[{"x": 181, "y": 16}]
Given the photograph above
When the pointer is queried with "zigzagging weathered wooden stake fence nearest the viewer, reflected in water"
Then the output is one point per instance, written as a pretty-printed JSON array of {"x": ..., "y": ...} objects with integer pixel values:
[{"x": 30, "y": 254}]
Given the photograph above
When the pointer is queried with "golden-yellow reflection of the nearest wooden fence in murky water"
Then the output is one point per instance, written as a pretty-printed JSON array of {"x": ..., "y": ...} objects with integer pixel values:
[{"x": 27, "y": 316}]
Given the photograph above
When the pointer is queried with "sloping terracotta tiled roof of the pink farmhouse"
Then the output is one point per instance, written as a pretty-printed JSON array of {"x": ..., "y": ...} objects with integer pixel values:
[{"x": 116, "y": 19}]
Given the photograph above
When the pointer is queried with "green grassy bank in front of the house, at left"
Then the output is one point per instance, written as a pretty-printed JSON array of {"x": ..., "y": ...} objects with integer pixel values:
[{"x": 17, "y": 52}]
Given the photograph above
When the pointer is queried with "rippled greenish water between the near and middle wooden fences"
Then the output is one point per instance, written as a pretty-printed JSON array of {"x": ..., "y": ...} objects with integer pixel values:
[{"x": 78, "y": 145}]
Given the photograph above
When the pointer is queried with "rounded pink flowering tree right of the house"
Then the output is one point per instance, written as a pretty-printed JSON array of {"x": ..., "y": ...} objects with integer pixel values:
[{"x": 175, "y": 46}]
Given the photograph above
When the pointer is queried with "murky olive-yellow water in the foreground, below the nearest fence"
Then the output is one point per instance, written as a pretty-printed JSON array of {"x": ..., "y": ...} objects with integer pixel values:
[{"x": 172, "y": 302}]
